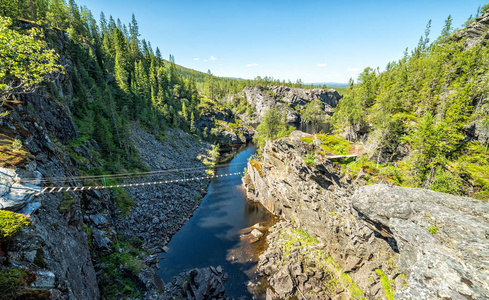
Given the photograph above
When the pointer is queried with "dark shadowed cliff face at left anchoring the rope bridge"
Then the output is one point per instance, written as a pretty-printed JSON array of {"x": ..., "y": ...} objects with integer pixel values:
[{"x": 55, "y": 231}]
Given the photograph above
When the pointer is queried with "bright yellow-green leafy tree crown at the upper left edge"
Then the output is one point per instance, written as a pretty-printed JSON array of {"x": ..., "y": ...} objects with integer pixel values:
[{"x": 25, "y": 61}]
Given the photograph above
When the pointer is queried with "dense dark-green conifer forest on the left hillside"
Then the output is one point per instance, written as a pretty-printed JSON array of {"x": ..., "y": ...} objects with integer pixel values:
[{"x": 117, "y": 77}]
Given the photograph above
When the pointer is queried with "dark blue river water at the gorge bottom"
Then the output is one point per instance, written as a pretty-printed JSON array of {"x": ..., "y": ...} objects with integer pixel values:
[{"x": 215, "y": 228}]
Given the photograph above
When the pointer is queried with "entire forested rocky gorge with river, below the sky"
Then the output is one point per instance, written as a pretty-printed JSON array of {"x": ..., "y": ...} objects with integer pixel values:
[{"x": 126, "y": 176}]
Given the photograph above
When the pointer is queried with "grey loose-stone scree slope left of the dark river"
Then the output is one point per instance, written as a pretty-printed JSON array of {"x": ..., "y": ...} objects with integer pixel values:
[{"x": 160, "y": 210}]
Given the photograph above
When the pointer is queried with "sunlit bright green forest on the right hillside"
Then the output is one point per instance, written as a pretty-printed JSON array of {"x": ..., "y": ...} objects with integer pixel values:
[{"x": 419, "y": 111}]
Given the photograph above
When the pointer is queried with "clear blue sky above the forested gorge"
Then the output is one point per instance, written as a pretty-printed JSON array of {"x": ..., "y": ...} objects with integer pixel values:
[{"x": 316, "y": 41}]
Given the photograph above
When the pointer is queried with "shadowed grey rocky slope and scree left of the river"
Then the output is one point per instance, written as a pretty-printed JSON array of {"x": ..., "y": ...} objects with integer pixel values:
[{"x": 71, "y": 232}]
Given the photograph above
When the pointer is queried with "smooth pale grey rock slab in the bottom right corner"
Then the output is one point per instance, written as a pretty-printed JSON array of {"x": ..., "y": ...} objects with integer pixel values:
[{"x": 443, "y": 240}]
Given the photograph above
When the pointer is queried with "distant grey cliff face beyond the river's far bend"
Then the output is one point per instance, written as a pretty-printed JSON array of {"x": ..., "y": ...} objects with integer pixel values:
[{"x": 290, "y": 100}]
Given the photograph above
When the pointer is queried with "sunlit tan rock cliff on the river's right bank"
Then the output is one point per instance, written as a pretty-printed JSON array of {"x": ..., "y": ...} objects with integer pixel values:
[{"x": 376, "y": 234}]
